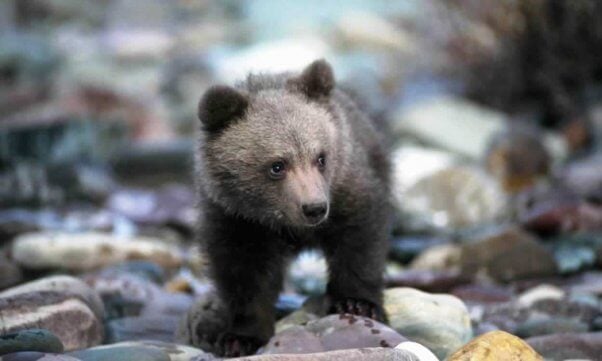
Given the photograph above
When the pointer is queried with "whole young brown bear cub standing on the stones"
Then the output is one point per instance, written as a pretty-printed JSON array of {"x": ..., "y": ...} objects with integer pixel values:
[{"x": 288, "y": 162}]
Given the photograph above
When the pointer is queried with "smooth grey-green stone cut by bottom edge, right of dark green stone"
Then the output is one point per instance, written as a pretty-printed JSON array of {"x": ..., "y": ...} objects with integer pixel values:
[{"x": 121, "y": 353}]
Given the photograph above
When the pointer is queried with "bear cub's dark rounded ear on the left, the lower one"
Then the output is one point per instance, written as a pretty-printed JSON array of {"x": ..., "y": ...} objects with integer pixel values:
[{"x": 220, "y": 105}]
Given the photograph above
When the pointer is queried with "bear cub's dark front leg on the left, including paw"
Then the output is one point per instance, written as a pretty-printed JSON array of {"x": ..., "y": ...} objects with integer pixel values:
[{"x": 247, "y": 269}]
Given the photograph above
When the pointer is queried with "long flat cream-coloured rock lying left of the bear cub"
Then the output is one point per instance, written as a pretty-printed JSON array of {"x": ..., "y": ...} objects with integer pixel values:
[{"x": 80, "y": 252}]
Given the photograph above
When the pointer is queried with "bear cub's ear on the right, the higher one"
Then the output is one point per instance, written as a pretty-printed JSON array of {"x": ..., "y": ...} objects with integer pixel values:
[{"x": 316, "y": 81}]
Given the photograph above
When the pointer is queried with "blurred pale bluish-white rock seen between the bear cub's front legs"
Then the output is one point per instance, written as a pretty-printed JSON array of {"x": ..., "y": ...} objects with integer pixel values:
[{"x": 308, "y": 273}]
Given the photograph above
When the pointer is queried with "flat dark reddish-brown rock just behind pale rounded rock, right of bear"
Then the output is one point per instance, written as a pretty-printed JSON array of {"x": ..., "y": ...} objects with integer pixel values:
[{"x": 429, "y": 281}]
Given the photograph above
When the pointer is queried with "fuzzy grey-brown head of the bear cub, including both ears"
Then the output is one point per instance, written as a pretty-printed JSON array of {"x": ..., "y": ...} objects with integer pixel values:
[{"x": 269, "y": 152}]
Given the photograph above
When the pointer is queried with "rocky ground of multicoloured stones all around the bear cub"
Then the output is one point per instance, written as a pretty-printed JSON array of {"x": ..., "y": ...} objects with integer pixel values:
[{"x": 496, "y": 253}]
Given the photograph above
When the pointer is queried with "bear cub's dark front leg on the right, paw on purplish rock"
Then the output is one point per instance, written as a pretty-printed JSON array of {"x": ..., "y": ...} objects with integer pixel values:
[{"x": 356, "y": 256}]
